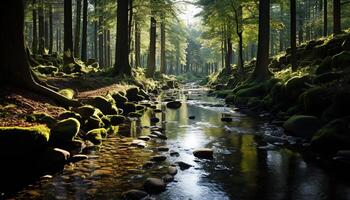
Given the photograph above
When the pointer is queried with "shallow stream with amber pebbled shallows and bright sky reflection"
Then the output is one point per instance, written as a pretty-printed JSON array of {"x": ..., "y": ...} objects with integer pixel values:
[{"x": 240, "y": 169}]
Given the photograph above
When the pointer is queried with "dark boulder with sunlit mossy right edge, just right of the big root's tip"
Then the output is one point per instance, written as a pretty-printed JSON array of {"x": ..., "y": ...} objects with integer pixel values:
[{"x": 107, "y": 106}]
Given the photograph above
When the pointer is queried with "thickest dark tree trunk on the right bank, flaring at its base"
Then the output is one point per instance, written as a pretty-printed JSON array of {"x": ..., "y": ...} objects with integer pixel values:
[{"x": 261, "y": 71}]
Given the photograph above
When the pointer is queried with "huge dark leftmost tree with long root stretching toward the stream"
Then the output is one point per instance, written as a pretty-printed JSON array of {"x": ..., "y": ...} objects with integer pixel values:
[{"x": 15, "y": 69}]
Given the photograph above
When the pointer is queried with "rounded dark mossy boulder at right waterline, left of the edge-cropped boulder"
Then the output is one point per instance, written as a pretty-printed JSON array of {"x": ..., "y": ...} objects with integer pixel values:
[{"x": 302, "y": 126}]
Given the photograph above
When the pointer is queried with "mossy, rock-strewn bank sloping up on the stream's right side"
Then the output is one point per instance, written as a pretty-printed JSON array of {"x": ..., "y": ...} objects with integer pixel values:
[{"x": 310, "y": 102}]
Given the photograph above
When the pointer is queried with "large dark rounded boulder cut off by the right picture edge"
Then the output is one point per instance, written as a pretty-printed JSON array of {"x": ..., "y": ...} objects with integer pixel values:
[{"x": 332, "y": 137}]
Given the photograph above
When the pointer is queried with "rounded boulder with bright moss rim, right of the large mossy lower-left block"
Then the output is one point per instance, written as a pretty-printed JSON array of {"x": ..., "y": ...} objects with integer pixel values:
[{"x": 65, "y": 130}]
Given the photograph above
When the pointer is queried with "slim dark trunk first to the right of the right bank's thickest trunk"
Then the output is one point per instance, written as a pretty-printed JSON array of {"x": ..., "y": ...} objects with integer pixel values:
[{"x": 293, "y": 30}]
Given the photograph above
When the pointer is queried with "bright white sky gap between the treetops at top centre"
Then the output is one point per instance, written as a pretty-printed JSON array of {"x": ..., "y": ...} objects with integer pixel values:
[{"x": 188, "y": 12}]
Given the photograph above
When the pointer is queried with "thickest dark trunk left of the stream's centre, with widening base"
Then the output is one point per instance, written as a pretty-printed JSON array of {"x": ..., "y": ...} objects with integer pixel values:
[{"x": 122, "y": 65}]
